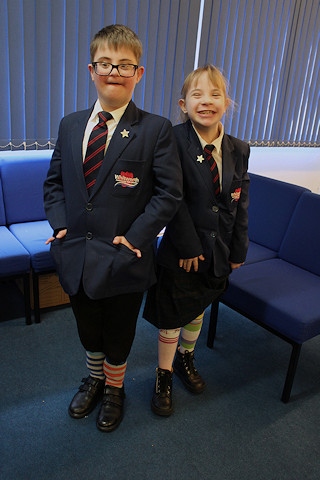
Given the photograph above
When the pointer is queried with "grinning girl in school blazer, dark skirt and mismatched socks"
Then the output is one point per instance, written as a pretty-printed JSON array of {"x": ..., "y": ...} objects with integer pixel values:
[{"x": 206, "y": 239}]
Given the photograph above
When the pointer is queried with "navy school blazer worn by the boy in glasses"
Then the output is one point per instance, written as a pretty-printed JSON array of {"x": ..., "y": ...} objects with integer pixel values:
[{"x": 138, "y": 190}]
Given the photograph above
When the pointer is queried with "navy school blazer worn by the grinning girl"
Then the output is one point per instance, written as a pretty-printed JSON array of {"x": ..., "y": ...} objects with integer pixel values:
[{"x": 204, "y": 224}]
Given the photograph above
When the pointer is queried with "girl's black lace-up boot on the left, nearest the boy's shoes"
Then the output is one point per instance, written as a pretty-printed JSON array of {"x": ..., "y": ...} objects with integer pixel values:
[{"x": 161, "y": 402}]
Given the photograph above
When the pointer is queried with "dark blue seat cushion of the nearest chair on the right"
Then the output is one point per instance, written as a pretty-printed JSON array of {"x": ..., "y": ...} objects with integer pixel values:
[{"x": 279, "y": 294}]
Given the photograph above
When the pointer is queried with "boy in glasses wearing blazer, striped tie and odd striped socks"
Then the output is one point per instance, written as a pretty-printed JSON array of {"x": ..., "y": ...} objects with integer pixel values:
[{"x": 106, "y": 215}]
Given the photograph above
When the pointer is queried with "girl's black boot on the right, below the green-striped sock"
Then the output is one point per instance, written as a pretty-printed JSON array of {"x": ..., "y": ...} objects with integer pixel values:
[{"x": 183, "y": 367}]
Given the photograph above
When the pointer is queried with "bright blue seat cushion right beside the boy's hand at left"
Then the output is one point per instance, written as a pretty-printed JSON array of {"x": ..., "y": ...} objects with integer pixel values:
[{"x": 33, "y": 236}]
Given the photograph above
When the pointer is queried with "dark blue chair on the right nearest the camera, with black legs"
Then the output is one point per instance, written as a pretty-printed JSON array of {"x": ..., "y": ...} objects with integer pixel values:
[{"x": 282, "y": 293}]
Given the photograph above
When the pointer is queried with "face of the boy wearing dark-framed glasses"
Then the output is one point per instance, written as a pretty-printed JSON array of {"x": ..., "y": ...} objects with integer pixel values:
[{"x": 115, "y": 91}]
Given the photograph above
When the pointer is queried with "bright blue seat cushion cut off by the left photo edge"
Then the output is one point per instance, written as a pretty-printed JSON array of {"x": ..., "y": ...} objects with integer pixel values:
[{"x": 14, "y": 258}]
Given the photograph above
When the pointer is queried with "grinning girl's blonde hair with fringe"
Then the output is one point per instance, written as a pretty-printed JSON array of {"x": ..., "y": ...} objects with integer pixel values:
[{"x": 217, "y": 79}]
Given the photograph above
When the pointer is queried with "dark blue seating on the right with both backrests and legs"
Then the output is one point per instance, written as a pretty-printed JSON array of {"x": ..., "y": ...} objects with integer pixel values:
[{"x": 279, "y": 285}]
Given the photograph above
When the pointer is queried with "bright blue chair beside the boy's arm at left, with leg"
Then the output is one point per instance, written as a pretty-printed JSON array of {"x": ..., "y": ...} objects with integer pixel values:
[{"x": 22, "y": 174}]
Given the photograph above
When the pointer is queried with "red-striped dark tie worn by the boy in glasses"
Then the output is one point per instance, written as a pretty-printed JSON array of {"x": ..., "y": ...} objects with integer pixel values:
[{"x": 95, "y": 150}]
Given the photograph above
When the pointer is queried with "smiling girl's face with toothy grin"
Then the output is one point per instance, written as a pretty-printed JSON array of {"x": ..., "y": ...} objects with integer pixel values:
[{"x": 205, "y": 104}]
